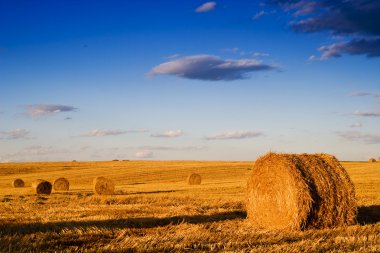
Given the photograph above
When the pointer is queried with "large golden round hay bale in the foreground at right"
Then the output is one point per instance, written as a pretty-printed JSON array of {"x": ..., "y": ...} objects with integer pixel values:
[{"x": 296, "y": 192}]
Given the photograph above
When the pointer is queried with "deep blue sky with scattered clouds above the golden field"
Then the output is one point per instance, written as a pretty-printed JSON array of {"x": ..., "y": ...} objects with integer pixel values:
[{"x": 188, "y": 80}]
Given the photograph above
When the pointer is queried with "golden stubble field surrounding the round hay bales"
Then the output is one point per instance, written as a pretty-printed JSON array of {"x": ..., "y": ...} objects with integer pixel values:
[{"x": 154, "y": 210}]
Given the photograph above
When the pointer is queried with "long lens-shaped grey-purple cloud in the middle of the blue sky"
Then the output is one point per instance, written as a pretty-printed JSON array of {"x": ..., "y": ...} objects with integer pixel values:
[{"x": 210, "y": 68}]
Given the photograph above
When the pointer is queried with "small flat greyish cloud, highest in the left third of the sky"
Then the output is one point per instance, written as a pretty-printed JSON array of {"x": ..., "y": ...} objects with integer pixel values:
[{"x": 43, "y": 110}]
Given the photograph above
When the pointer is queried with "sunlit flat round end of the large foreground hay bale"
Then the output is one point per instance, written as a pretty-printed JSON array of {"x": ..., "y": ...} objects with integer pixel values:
[{"x": 277, "y": 196}]
